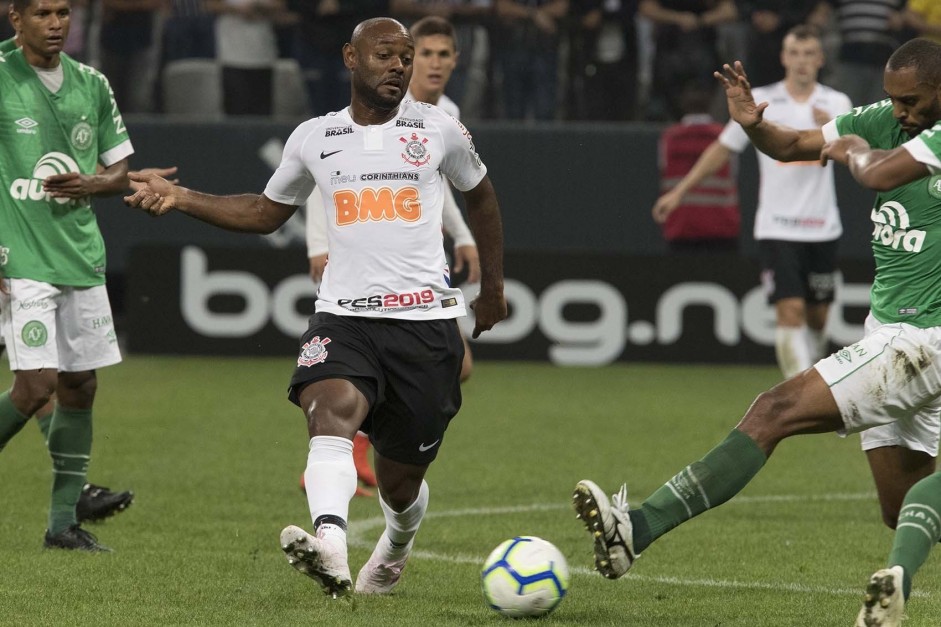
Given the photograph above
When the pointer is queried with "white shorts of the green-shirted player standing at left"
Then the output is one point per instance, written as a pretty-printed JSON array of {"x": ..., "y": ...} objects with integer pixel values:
[{"x": 69, "y": 329}]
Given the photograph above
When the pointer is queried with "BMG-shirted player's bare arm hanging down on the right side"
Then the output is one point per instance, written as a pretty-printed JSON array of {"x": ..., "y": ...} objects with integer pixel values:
[{"x": 487, "y": 226}]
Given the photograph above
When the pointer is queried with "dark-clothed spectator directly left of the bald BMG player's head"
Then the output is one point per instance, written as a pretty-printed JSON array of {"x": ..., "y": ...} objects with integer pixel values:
[{"x": 322, "y": 29}]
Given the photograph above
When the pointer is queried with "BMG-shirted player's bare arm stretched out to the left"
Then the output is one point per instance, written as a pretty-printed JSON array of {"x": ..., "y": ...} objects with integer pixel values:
[{"x": 248, "y": 213}]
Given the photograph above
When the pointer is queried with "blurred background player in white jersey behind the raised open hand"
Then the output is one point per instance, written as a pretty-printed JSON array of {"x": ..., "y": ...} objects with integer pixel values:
[{"x": 797, "y": 224}]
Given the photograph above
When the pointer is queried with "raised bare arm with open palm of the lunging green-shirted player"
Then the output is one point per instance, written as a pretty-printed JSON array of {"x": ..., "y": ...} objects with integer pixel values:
[{"x": 775, "y": 140}]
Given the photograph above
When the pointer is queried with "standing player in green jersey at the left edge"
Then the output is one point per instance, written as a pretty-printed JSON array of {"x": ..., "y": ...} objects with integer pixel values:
[{"x": 58, "y": 123}]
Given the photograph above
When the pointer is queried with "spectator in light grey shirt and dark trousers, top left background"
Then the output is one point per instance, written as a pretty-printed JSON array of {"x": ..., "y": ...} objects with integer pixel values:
[{"x": 247, "y": 48}]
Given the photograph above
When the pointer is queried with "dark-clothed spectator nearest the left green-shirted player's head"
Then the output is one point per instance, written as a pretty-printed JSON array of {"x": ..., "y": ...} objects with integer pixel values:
[{"x": 128, "y": 54}]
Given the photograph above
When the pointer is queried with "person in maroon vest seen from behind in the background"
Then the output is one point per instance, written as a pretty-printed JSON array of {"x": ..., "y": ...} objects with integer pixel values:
[{"x": 706, "y": 217}]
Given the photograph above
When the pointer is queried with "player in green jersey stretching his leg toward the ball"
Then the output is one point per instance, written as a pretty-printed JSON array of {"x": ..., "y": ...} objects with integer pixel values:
[{"x": 887, "y": 385}]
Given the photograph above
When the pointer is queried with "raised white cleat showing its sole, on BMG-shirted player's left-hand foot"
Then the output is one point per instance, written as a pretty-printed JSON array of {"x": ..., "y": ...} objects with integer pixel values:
[{"x": 321, "y": 559}]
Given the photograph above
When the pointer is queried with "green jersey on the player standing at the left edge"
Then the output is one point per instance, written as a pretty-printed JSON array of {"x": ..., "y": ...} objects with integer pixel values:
[{"x": 54, "y": 240}]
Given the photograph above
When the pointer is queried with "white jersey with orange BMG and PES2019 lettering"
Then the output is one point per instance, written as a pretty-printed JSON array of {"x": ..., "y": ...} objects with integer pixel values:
[{"x": 383, "y": 196}]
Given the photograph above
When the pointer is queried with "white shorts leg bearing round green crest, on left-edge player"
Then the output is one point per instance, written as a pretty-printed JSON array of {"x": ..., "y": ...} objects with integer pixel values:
[{"x": 28, "y": 322}]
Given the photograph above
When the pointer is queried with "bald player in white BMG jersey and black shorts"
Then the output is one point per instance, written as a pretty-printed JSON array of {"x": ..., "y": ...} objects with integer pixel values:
[{"x": 383, "y": 351}]
